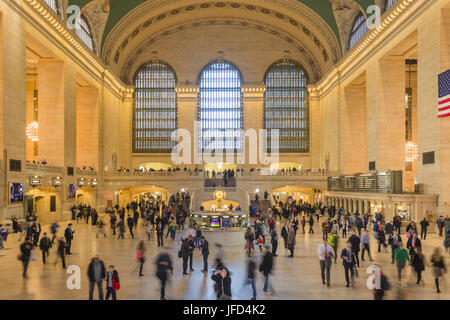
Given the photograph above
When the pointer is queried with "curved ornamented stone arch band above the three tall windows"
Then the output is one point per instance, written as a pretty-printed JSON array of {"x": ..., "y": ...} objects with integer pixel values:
[{"x": 304, "y": 26}]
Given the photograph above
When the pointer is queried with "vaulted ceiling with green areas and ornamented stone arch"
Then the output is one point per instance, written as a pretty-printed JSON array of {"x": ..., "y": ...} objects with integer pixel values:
[{"x": 126, "y": 31}]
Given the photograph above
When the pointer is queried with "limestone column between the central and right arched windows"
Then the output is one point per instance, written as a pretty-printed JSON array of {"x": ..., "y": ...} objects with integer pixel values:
[{"x": 253, "y": 118}]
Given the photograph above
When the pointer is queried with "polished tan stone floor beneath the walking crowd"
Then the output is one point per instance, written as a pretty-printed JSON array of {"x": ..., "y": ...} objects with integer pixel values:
[{"x": 297, "y": 278}]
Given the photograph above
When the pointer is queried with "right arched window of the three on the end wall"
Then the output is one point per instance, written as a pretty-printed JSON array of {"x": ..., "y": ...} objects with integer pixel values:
[{"x": 286, "y": 105}]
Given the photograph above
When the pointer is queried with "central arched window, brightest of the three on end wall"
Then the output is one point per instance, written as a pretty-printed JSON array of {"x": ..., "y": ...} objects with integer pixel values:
[{"x": 220, "y": 107}]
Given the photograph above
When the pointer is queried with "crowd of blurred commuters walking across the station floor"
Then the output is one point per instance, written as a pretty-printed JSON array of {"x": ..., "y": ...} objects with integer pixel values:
[{"x": 261, "y": 242}]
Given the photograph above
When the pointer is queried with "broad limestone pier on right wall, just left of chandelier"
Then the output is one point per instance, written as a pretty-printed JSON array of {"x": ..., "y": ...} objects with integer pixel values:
[{"x": 385, "y": 99}]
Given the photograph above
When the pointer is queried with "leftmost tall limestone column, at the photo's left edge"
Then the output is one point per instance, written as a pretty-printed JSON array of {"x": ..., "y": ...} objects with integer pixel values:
[{"x": 12, "y": 105}]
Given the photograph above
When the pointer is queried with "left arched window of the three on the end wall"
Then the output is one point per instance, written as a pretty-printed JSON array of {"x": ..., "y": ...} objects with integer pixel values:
[{"x": 155, "y": 108}]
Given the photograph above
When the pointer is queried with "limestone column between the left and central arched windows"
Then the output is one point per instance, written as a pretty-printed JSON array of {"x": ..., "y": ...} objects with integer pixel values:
[{"x": 187, "y": 100}]
